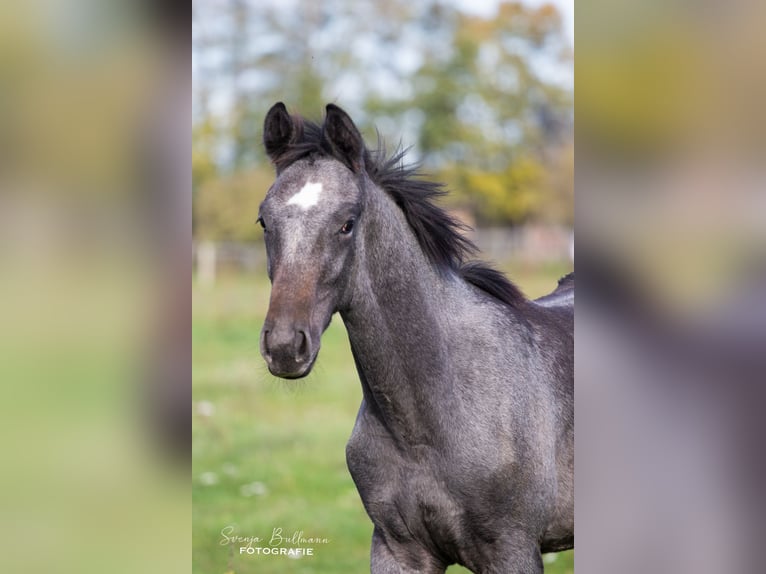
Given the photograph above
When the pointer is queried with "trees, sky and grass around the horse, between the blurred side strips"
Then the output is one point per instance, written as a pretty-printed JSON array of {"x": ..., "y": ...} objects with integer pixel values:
[{"x": 482, "y": 95}]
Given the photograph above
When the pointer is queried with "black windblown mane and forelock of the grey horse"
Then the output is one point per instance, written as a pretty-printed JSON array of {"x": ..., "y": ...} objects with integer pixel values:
[{"x": 439, "y": 234}]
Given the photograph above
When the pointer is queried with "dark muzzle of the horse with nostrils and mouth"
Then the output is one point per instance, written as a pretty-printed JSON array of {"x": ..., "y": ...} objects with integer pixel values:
[{"x": 288, "y": 350}]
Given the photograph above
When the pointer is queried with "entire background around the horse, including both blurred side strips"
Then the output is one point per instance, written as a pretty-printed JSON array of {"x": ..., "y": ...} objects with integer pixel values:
[{"x": 96, "y": 187}]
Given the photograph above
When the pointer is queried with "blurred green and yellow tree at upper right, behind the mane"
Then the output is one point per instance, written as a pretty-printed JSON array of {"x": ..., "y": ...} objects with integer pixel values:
[{"x": 494, "y": 124}]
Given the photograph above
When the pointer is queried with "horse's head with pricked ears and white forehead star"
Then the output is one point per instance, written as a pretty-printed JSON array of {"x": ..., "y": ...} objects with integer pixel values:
[{"x": 311, "y": 218}]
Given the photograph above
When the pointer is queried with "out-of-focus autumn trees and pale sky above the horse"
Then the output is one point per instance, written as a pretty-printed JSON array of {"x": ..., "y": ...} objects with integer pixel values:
[{"x": 476, "y": 97}]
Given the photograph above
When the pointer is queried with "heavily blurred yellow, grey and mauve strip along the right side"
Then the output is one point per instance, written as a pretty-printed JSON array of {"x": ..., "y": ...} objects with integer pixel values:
[{"x": 671, "y": 308}]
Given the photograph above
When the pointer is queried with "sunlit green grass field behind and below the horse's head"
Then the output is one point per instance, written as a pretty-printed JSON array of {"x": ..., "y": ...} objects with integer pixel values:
[{"x": 269, "y": 454}]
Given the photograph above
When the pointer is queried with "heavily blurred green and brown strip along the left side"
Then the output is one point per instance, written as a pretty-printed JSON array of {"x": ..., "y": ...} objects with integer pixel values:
[{"x": 94, "y": 286}]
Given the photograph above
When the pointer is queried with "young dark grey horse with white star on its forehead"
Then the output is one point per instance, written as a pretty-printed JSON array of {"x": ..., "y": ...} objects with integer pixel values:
[{"x": 462, "y": 451}]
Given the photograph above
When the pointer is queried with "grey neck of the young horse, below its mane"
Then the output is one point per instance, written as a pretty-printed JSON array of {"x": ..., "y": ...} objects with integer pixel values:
[{"x": 396, "y": 325}]
